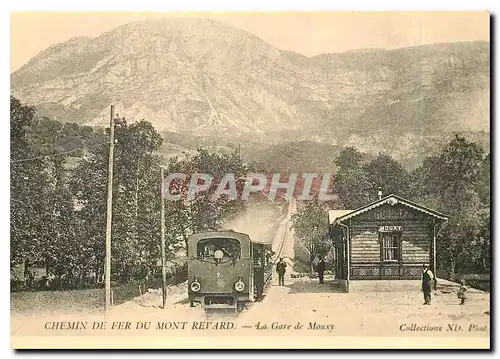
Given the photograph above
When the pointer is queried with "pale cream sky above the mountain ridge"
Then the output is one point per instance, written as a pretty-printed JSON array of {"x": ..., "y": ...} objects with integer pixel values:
[{"x": 308, "y": 33}]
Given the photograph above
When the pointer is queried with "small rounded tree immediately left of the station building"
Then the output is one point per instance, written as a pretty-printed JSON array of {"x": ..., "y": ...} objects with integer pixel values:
[{"x": 310, "y": 224}]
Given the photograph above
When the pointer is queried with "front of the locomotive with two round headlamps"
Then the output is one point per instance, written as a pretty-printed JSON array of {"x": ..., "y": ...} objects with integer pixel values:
[{"x": 220, "y": 269}]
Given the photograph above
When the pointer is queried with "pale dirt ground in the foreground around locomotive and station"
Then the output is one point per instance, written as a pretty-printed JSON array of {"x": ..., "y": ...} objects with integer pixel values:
[{"x": 302, "y": 307}]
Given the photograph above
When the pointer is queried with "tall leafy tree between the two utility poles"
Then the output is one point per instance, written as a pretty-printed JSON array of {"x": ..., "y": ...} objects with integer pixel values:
[{"x": 136, "y": 221}]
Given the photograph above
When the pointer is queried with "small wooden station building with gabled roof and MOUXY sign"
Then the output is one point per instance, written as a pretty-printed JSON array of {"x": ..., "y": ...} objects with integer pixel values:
[{"x": 389, "y": 239}]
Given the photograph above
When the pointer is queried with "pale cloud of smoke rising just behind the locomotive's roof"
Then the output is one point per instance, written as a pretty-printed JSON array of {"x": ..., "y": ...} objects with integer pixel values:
[{"x": 260, "y": 221}]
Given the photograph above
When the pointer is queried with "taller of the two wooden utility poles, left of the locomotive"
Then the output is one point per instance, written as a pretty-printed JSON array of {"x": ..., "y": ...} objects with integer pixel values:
[{"x": 107, "y": 277}]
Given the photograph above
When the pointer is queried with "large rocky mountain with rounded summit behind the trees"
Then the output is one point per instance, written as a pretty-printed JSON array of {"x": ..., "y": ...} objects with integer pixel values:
[{"x": 205, "y": 80}]
